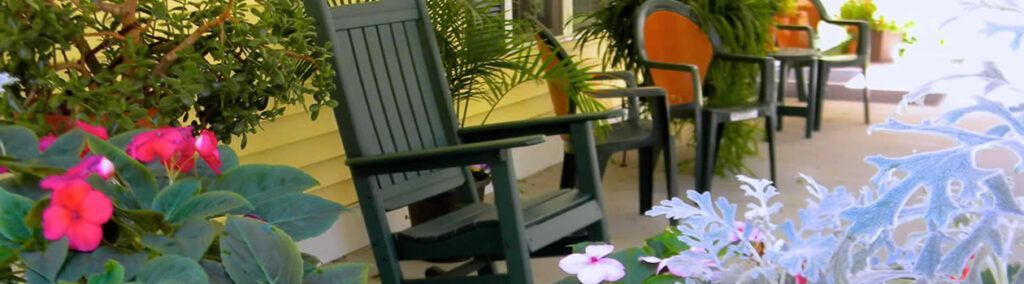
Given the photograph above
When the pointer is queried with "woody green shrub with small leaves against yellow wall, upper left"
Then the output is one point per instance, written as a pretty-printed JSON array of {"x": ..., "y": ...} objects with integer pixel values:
[{"x": 225, "y": 66}]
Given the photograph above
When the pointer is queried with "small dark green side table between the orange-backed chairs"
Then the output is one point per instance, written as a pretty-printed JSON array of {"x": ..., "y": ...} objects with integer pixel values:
[{"x": 794, "y": 56}]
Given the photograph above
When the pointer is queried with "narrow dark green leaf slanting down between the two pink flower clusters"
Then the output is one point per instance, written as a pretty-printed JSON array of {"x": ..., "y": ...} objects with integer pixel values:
[{"x": 141, "y": 181}]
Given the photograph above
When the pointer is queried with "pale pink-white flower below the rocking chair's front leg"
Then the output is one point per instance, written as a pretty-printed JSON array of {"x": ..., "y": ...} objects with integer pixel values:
[{"x": 592, "y": 267}]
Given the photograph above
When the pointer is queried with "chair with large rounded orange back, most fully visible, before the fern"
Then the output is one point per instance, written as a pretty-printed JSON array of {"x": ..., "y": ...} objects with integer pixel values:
[{"x": 675, "y": 52}]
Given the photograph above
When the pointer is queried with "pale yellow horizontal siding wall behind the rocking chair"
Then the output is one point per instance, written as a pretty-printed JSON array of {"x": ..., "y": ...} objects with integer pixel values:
[{"x": 316, "y": 147}]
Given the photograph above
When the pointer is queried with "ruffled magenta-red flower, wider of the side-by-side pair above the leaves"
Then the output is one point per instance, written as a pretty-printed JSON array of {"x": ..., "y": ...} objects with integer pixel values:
[{"x": 175, "y": 147}]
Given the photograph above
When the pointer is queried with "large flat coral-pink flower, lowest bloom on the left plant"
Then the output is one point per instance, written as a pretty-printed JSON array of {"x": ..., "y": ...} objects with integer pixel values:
[{"x": 78, "y": 213}]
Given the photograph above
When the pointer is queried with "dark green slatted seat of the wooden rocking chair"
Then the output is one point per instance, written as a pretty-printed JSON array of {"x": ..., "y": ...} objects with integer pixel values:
[{"x": 459, "y": 234}]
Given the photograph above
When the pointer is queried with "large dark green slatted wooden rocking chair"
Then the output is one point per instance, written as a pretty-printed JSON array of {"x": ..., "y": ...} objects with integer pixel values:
[{"x": 404, "y": 146}]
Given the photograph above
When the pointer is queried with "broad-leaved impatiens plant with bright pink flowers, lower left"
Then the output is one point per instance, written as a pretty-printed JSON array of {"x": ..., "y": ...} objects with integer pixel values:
[{"x": 153, "y": 207}]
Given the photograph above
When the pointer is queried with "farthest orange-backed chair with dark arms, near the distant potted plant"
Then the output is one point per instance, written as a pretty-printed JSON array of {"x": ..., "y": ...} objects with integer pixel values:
[{"x": 861, "y": 59}]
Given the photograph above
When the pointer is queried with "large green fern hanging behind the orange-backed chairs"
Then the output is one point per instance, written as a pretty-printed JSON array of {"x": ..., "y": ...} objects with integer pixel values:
[{"x": 744, "y": 27}]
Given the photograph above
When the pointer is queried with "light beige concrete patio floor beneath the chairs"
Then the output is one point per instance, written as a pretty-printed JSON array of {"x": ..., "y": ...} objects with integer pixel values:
[{"x": 834, "y": 157}]
